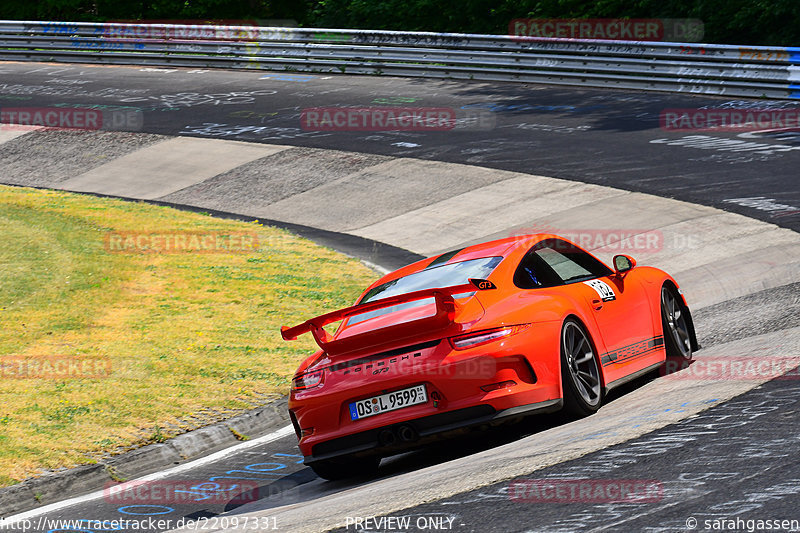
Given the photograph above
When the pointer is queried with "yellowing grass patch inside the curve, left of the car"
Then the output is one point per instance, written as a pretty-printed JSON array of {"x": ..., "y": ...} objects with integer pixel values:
[{"x": 190, "y": 338}]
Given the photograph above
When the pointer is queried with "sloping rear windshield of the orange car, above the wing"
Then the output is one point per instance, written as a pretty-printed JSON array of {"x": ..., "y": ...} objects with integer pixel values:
[{"x": 447, "y": 275}]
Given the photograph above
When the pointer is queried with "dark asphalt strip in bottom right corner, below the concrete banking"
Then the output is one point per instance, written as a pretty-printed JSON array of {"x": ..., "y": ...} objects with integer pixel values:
[{"x": 734, "y": 461}]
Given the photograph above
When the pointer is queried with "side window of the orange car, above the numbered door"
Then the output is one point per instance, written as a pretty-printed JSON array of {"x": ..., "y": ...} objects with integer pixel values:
[{"x": 555, "y": 262}]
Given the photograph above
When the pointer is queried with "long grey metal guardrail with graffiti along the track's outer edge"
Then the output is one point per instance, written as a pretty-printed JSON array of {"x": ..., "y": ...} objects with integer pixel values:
[{"x": 771, "y": 72}]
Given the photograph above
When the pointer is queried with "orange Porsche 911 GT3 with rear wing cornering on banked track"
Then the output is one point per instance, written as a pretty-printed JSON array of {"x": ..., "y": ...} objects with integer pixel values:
[{"x": 494, "y": 331}]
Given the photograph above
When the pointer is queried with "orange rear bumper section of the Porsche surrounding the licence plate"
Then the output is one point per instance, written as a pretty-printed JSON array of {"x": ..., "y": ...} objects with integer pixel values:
[{"x": 464, "y": 387}]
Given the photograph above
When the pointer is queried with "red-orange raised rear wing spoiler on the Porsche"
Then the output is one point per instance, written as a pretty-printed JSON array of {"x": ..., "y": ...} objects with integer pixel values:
[{"x": 445, "y": 312}]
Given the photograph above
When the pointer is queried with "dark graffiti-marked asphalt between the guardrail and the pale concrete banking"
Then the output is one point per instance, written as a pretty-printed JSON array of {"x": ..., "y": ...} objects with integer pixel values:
[{"x": 559, "y": 132}]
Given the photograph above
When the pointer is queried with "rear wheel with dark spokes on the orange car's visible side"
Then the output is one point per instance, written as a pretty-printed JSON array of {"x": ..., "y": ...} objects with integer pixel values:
[{"x": 580, "y": 373}]
